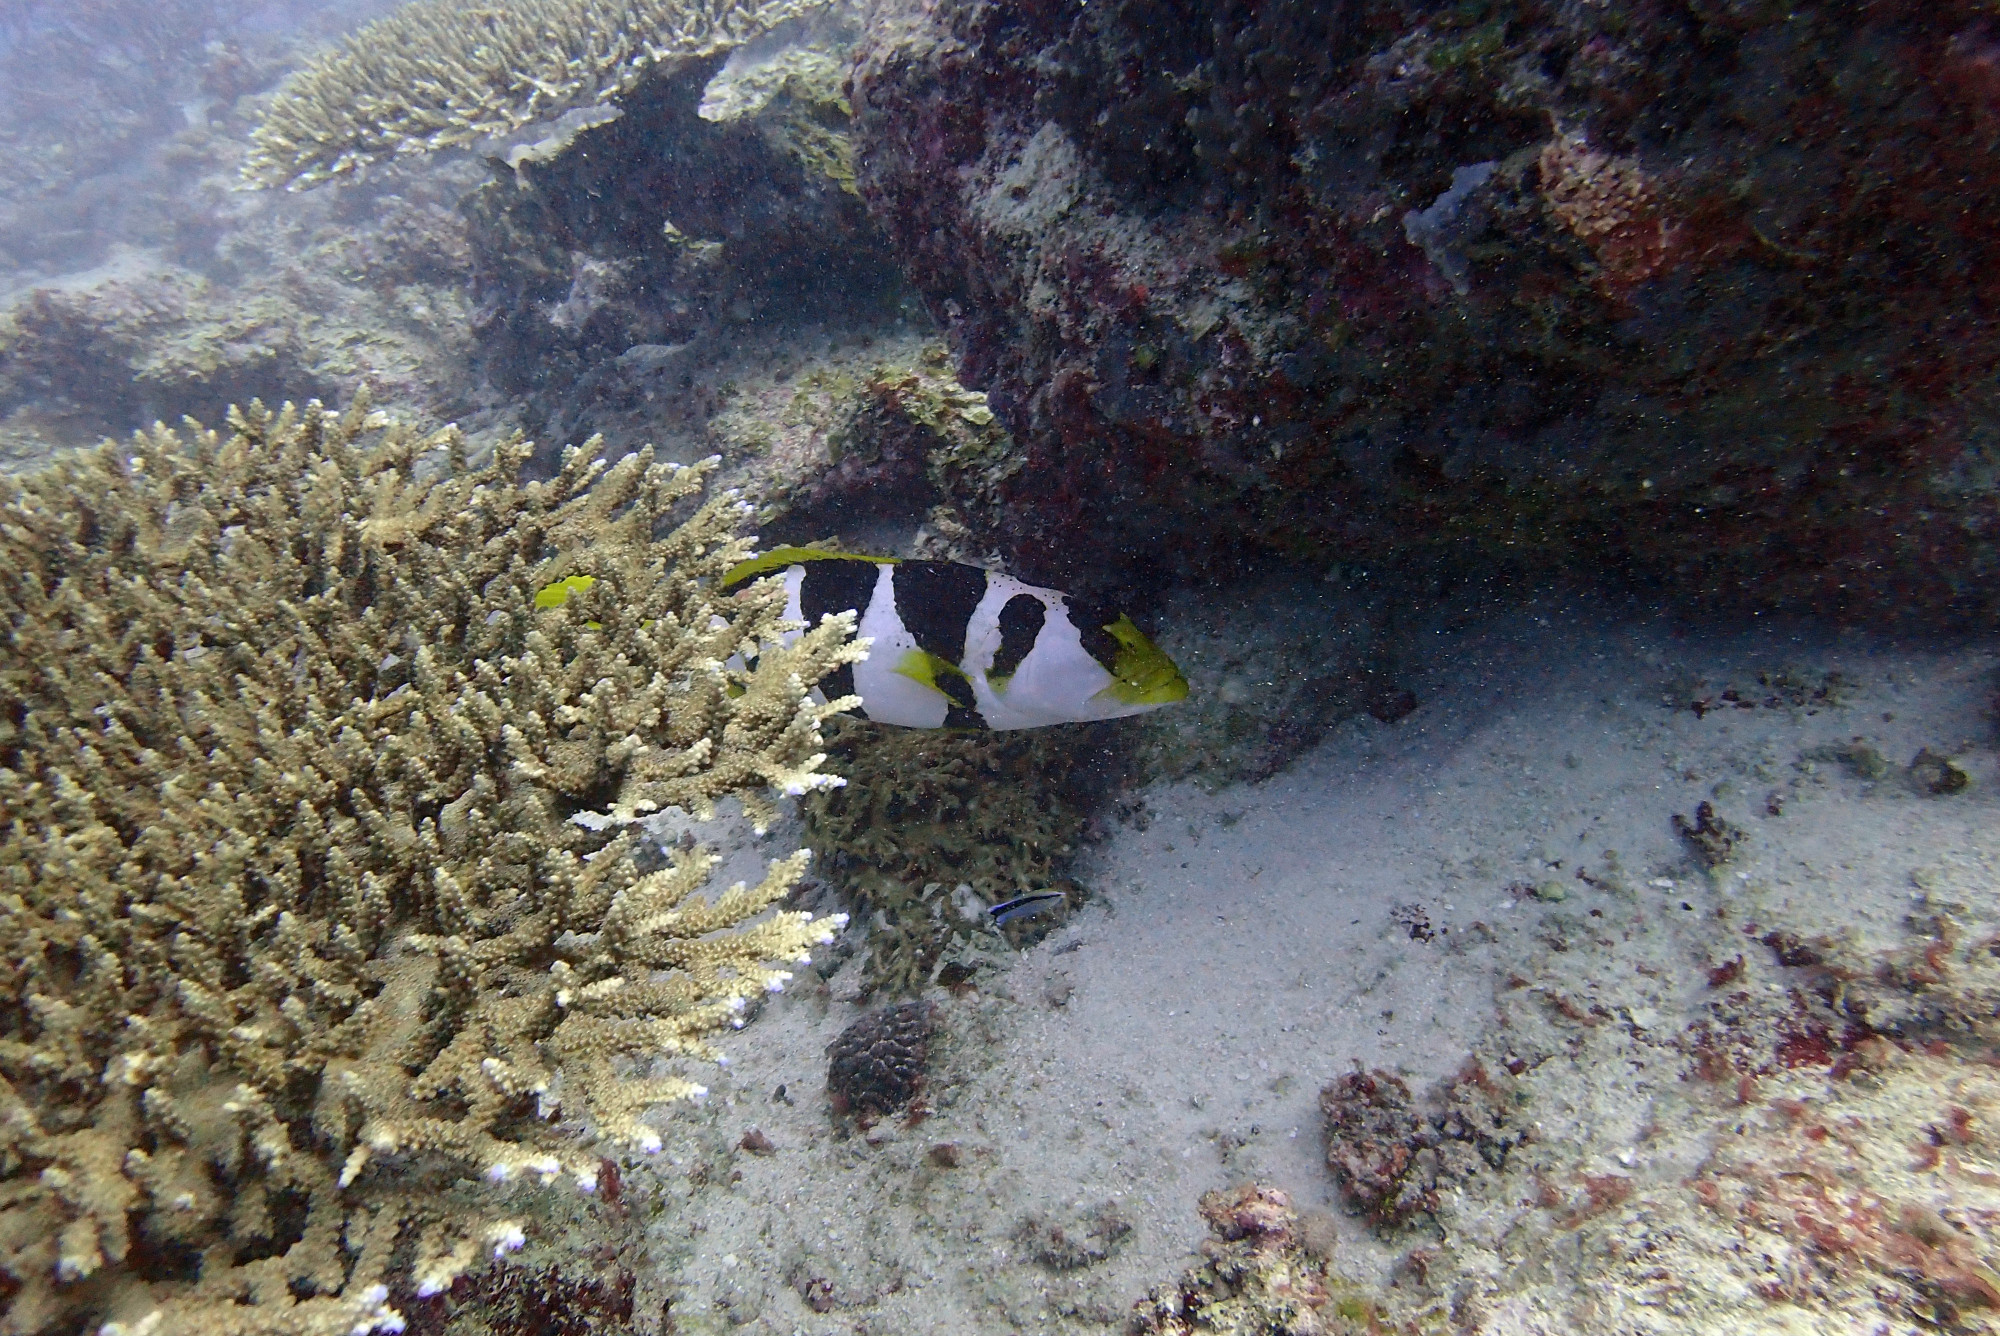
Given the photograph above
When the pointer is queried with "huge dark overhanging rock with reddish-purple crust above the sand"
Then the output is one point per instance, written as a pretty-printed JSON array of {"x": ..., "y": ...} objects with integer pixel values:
[{"x": 1727, "y": 309}]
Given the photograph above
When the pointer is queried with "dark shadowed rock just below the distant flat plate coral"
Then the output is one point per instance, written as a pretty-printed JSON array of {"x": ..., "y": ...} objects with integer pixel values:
[{"x": 639, "y": 263}]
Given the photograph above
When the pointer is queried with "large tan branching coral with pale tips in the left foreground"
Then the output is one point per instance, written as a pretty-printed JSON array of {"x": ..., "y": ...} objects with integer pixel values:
[{"x": 301, "y": 935}]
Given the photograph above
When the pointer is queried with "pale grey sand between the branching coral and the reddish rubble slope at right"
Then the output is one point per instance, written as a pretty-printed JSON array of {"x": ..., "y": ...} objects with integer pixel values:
[{"x": 1245, "y": 949}]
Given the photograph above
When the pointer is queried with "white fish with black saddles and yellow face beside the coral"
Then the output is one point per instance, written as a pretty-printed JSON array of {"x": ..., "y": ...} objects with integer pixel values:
[{"x": 961, "y": 647}]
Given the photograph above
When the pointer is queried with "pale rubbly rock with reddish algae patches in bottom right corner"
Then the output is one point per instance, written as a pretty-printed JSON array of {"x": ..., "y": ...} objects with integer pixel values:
[{"x": 1833, "y": 1165}]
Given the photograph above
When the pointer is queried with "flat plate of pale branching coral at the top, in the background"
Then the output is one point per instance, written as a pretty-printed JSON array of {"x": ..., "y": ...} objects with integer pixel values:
[{"x": 441, "y": 75}]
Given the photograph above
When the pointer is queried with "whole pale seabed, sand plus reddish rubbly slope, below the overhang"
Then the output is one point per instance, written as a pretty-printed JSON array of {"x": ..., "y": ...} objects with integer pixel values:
[{"x": 1707, "y": 1131}]
